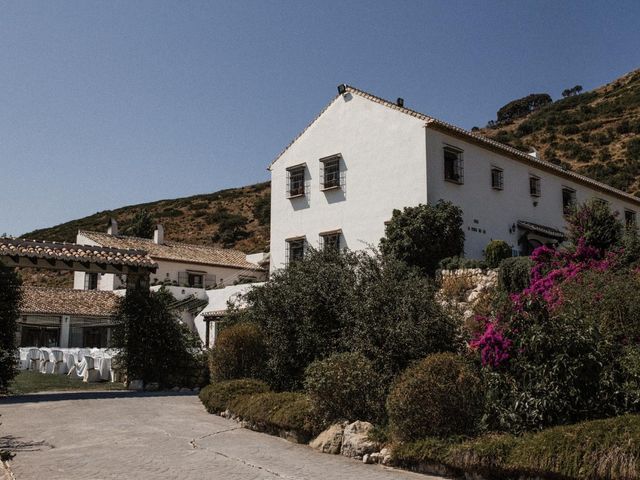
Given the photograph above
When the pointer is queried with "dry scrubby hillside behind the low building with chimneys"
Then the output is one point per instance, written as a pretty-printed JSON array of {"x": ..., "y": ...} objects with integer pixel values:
[{"x": 184, "y": 219}]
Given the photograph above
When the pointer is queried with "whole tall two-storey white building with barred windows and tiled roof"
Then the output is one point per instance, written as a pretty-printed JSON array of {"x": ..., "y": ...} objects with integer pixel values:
[{"x": 362, "y": 156}]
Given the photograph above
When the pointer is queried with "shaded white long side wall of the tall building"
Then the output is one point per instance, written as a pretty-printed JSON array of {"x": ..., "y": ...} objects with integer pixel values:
[{"x": 494, "y": 211}]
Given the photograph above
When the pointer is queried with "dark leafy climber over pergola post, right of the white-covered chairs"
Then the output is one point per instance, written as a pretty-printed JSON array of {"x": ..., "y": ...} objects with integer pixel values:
[{"x": 153, "y": 345}]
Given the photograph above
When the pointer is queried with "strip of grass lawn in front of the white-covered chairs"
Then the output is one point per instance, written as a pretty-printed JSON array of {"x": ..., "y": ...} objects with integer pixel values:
[{"x": 33, "y": 382}]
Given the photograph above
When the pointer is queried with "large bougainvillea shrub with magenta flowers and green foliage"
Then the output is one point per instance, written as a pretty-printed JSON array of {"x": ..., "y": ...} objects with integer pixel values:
[{"x": 554, "y": 354}]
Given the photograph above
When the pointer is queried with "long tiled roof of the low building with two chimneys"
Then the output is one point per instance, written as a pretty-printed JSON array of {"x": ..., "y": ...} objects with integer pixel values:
[{"x": 176, "y": 251}]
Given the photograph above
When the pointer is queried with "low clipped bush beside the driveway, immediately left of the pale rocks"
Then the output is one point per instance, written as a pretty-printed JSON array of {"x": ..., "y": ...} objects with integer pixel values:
[{"x": 275, "y": 412}]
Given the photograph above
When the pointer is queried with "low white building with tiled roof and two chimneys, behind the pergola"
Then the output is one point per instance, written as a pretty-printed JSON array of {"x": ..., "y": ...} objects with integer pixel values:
[{"x": 179, "y": 264}]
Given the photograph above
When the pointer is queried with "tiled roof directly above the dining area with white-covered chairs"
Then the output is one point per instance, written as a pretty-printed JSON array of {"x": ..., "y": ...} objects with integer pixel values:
[{"x": 61, "y": 301}]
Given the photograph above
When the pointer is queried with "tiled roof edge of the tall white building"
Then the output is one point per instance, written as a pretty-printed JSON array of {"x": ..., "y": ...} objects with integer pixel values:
[{"x": 477, "y": 139}]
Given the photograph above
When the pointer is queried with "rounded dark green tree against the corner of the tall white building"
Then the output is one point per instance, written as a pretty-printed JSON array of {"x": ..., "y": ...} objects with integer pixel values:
[{"x": 422, "y": 236}]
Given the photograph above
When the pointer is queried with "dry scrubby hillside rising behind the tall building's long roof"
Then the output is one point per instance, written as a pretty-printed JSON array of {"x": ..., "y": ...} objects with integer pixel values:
[{"x": 596, "y": 133}]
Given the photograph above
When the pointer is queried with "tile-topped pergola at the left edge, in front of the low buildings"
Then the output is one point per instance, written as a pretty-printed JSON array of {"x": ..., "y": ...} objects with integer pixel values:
[{"x": 135, "y": 264}]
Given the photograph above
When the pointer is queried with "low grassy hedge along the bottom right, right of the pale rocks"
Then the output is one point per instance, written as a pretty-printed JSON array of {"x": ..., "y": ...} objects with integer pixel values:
[{"x": 606, "y": 449}]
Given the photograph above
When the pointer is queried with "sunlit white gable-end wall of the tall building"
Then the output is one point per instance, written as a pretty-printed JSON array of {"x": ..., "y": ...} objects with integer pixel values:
[{"x": 384, "y": 156}]
